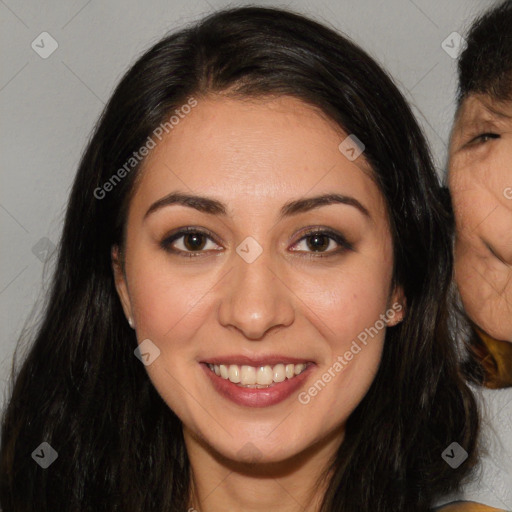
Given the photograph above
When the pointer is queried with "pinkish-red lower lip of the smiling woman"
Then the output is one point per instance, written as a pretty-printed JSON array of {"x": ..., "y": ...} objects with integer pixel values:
[{"x": 257, "y": 397}]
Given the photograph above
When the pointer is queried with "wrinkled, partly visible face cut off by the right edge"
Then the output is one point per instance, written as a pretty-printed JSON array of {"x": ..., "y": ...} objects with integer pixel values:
[{"x": 480, "y": 181}]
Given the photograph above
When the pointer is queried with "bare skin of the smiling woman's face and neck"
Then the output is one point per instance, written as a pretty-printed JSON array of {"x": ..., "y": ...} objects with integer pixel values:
[{"x": 256, "y": 155}]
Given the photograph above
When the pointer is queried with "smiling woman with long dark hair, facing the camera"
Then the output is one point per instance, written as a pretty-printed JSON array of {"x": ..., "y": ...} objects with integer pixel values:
[{"x": 258, "y": 203}]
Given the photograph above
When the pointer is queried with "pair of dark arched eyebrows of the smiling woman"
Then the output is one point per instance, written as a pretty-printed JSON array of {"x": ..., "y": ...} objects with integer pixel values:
[{"x": 215, "y": 207}]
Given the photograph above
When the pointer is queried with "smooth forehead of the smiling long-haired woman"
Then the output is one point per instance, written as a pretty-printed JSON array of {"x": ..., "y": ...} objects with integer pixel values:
[{"x": 254, "y": 149}]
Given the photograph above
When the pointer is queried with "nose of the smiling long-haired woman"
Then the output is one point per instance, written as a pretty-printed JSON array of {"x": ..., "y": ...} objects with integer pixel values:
[{"x": 256, "y": 299}]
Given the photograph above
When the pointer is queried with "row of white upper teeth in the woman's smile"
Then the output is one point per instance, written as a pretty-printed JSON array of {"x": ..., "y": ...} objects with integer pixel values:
[{"x": 262, "y": 375}]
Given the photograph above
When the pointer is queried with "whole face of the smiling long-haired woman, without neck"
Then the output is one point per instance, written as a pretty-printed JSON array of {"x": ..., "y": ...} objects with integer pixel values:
[{"x": 258, "y": 293}]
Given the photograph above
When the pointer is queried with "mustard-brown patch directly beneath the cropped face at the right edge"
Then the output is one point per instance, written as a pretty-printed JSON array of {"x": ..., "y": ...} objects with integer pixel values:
[{"x": 497, "y": 362}]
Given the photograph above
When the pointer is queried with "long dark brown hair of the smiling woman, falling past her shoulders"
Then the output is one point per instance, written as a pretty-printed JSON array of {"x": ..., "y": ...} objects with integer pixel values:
[{"x": 80, "y": 388}]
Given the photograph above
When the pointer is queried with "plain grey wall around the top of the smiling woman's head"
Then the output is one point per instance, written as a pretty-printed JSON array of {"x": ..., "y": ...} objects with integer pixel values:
[{"x": 49, "y": 106}]
